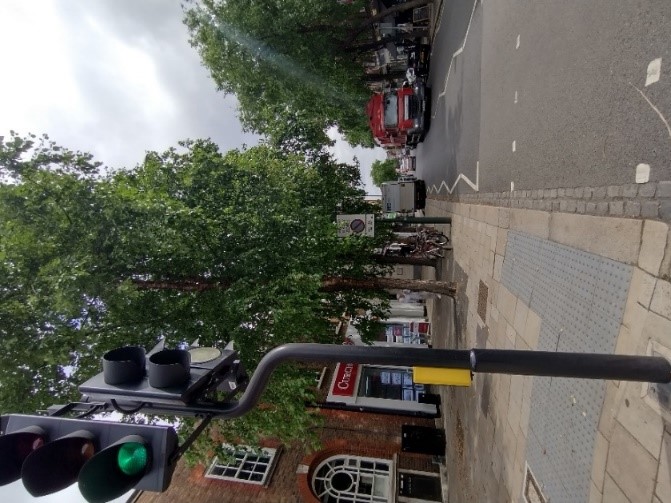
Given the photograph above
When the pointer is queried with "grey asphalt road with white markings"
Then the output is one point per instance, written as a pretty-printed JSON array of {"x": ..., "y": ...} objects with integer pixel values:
[{"x": 548, "y": 94}]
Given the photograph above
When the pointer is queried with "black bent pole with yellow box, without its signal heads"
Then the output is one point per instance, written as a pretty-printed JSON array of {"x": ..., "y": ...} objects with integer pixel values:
[{"x": 537, "y": 363}]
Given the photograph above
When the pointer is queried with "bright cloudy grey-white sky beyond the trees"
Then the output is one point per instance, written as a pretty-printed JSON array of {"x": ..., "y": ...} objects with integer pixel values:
[{"x": 115, "y": 78}]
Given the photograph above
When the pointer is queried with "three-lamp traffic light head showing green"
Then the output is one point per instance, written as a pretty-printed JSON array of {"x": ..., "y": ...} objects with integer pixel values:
[{"x": 106, "y": 458}]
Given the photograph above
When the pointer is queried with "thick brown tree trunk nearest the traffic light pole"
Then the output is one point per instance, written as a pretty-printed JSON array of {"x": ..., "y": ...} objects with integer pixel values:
[{"x": 339, "y": 284}]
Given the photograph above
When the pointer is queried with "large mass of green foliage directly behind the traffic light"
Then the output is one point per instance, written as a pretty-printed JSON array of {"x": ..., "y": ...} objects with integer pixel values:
[{"x": 190, "y": 244}]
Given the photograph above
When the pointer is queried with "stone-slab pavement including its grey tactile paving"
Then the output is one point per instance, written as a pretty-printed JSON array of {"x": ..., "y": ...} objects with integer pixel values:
[{"x": 555, "y": 281}]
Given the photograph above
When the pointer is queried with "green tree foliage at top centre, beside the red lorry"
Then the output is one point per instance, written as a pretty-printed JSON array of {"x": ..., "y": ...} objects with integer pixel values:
[{"x": 286, "y": 63}]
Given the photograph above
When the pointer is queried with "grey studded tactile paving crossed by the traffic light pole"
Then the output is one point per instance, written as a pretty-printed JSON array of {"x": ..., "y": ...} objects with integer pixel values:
[{"x": 580, "y": 298}]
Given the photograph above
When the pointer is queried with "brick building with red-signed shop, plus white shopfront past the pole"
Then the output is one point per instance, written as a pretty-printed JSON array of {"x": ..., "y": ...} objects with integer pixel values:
[{"x": 378, "y": 440}]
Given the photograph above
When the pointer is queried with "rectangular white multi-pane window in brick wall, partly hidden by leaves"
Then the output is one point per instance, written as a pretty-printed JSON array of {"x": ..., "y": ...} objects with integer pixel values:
[{"x": 244, "y": 465}]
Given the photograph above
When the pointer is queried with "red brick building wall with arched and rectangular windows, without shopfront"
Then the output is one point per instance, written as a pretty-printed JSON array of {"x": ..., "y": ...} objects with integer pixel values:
[{"x": 362, "y": 458}]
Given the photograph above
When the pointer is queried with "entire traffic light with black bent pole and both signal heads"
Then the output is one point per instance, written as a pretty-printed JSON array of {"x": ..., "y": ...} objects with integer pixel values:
[{"x": 107, "y": 459}]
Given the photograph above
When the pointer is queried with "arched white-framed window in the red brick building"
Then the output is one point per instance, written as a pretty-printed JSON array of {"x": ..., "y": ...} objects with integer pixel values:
[{"x": 352, "y": 479}]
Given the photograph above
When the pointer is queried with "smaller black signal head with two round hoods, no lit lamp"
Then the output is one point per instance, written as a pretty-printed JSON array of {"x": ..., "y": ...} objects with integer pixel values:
[{"x": 173, "y": 377}]
